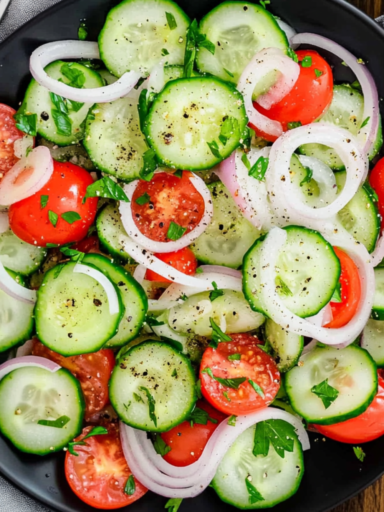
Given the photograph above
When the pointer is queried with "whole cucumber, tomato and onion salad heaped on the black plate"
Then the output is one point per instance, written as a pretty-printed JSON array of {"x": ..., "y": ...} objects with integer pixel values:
[{"x": 190, "y": 241}]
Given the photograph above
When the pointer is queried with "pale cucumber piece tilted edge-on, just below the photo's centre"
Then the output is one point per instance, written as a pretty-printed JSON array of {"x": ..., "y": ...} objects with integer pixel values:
[{"x": 230, "y": 311}]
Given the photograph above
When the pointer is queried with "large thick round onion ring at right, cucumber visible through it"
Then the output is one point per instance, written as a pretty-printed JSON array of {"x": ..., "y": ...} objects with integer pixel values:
[{"x": 285, "y": 196}]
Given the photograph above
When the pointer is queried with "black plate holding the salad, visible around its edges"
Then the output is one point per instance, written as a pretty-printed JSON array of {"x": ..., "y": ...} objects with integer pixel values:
[{"x": 332, "y": 472}]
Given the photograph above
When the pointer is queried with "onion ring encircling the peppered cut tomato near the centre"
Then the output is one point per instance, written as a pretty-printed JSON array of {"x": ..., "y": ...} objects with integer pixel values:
[{"x": 165, "y": 247}]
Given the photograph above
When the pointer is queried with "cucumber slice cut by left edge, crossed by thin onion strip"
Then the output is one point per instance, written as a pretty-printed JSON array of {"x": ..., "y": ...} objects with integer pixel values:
[{"x": 16, "y": 318}]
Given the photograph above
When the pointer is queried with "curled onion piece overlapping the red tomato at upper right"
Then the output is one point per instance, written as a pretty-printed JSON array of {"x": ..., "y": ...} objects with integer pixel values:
[{"x": 265, "y": 61}]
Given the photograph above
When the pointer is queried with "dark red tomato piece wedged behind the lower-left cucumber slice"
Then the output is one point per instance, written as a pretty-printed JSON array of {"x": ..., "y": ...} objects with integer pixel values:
[{"x": 92, "y": 370}]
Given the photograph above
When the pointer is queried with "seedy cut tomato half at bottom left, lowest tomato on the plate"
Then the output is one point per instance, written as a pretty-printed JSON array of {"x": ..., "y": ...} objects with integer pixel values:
[{"x": 99, "y": 473}]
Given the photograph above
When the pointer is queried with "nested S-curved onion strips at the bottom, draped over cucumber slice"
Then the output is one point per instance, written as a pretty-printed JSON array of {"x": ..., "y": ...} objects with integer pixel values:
[{"x": 173, "y": 482}]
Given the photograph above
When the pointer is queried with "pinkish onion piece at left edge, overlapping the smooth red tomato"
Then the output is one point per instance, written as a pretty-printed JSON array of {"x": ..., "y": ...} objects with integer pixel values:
[{"x": 27, "y": 177}]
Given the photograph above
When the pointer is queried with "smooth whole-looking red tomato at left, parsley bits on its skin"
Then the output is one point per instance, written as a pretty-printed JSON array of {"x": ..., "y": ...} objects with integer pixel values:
[{"x": 65, "y": 190}]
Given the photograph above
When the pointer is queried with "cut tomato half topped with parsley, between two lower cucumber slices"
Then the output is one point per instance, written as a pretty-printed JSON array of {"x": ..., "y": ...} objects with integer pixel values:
[{"x": 255, "y": 365}]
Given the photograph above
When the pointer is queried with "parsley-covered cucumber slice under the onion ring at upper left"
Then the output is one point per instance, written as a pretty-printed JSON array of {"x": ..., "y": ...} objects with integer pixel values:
[{"x": 37, "y": 101}]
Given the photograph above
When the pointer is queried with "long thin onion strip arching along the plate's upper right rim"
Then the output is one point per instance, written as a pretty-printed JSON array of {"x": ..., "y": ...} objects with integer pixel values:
[{"x": 367, "y": 135}]
